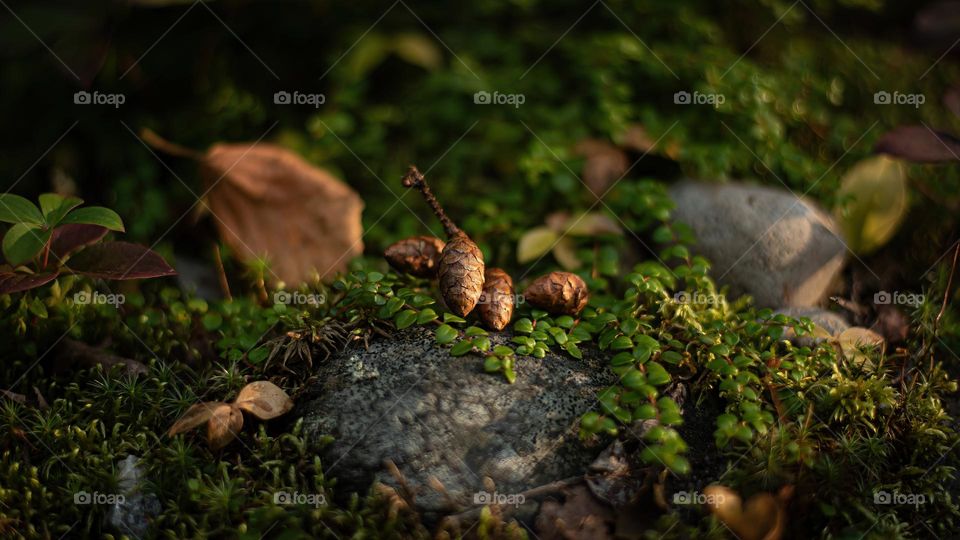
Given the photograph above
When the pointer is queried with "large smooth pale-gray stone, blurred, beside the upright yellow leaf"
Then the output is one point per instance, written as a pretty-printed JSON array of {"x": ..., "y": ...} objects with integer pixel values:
[{"x": 769, "y": 243}]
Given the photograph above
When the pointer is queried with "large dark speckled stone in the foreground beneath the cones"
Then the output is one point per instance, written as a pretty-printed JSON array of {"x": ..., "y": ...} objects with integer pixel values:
[{"x": 436, "y": 415}]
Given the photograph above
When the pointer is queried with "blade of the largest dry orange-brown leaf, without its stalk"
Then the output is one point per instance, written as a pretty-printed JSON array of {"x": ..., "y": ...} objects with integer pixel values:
[{"x": 268, "y": 201}]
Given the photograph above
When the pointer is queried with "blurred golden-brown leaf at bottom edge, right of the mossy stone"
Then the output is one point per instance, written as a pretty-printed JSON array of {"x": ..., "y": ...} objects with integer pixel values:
[{"x": 762, "y": 517}]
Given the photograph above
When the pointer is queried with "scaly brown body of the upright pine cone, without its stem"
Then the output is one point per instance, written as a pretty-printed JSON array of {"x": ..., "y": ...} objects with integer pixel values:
[{"x": 461, "y": 274}]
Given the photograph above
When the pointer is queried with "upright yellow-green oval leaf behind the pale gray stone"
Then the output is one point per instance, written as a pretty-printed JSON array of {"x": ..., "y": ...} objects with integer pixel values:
[{"x": 878, "y": 186}]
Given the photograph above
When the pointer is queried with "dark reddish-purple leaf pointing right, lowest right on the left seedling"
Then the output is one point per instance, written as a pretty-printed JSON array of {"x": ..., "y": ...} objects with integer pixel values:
[{"x": 120, "y": 260}]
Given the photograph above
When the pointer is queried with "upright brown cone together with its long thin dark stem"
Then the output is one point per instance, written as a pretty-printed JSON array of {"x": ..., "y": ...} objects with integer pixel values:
[{"x": 461, "y": 261}]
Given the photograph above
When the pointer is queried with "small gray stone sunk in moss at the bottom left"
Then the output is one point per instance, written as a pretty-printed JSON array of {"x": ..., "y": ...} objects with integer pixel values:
[{"x": 132, "y": 513}]
